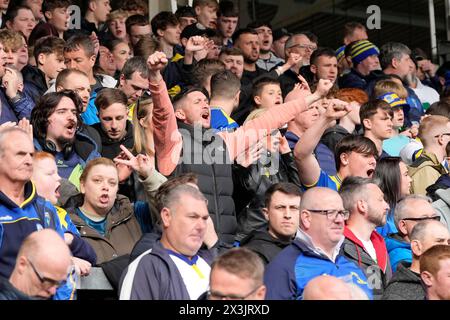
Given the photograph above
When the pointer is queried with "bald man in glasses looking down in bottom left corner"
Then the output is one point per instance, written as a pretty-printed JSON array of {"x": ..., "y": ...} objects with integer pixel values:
[{"x": 42, "y": 265}]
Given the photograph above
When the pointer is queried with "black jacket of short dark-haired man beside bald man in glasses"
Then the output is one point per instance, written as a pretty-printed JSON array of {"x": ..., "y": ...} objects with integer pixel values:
[{"x": 266, "y": 246}]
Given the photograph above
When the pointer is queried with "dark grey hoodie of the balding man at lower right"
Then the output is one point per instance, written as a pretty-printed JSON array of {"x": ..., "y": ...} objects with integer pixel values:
[{"x": 404, "y": 285}]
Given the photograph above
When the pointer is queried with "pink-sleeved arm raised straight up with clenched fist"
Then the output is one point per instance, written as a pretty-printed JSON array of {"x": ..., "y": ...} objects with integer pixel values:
[{"x": 168, "y": 140}]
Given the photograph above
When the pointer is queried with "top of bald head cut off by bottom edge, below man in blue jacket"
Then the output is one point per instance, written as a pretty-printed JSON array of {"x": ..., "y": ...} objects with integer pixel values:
[{"x": 331, "y": 288}]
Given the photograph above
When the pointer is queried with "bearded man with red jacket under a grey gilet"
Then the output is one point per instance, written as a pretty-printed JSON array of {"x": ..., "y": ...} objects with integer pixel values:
[{"x": 365, "y": 201}]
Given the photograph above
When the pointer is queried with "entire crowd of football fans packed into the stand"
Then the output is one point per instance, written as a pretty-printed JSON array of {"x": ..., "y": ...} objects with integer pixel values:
[{"x": 193, "y": 159}]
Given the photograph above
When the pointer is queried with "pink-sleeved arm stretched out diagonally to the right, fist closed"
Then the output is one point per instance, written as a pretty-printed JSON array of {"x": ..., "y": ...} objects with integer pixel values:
[{"x": 274, "y": 118}]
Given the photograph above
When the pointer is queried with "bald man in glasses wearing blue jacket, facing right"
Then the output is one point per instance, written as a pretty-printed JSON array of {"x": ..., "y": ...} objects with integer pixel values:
[{"x": 315, "y": 251}]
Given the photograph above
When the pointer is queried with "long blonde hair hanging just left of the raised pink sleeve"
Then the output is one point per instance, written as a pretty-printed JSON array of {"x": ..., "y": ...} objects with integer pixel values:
[{"x": 143, "y": 143}]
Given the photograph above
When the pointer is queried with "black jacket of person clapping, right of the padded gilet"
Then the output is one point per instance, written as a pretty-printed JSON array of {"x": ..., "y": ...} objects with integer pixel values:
[{"x": 251, "y": 184}]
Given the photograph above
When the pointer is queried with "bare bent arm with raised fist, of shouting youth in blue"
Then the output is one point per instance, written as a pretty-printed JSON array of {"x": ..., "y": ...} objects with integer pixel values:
[{"x": 307, "y": 164}]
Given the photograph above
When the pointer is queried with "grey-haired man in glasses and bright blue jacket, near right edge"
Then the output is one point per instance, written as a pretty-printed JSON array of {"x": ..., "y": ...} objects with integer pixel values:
[{"x": 409, "y": 211}]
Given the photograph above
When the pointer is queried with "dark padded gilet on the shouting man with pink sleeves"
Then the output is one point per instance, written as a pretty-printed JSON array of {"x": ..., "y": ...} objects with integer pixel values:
[{"x": 205, "y": 154}]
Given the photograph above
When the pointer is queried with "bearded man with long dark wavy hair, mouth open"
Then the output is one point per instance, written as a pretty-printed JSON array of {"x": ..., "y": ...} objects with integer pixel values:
[{"x": 56, "y": 120}]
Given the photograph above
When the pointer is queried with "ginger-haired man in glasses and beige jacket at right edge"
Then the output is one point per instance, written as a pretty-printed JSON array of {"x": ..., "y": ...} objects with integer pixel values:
[{"x": 434, "y": 133}]
